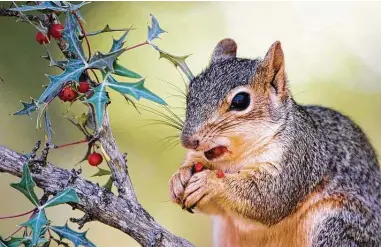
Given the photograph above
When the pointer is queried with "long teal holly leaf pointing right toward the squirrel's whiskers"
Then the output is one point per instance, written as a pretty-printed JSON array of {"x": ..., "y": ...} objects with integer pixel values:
[{"x": 137, "y": 90}]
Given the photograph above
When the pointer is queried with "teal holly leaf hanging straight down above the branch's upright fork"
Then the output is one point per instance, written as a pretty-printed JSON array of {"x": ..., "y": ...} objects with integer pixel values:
[{"x": 98, "y": 102}]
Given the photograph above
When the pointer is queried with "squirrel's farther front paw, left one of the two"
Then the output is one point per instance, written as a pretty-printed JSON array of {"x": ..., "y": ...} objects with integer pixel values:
[{"x": 178, "y": 182}]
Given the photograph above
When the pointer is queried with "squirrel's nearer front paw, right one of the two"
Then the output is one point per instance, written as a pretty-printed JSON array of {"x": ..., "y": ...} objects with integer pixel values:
[{"x": 201, "y": 188}]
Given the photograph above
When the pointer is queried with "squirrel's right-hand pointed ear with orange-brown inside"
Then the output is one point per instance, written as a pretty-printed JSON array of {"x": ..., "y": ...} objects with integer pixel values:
[{"x": 273, "y": 65}]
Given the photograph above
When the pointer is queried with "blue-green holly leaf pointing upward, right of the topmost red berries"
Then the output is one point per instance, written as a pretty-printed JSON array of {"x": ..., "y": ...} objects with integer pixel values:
[{"x": 70, "y": 35}]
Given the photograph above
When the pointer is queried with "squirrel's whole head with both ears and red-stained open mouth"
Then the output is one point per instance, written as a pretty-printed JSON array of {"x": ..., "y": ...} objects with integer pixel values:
[{"x": 235, "y": 104}]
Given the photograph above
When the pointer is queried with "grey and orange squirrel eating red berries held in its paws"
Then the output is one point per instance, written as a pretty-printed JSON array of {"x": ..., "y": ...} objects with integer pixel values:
[{"x": 295, "y": 175}]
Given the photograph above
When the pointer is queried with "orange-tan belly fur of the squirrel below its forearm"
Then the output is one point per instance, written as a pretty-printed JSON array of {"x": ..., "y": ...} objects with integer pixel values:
[{"x": 293, "y": 231}]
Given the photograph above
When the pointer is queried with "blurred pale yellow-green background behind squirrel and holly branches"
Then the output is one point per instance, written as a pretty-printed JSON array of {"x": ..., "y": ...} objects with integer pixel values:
[{"x": 333, "y": 58}]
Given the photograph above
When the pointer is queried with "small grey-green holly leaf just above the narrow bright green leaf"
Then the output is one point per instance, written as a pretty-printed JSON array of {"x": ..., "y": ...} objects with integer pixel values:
[{"x": 102, "y": 61}]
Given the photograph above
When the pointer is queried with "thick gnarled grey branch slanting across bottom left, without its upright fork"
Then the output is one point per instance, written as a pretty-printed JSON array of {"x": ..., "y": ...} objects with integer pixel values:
[{"x": 97, "y": 202}]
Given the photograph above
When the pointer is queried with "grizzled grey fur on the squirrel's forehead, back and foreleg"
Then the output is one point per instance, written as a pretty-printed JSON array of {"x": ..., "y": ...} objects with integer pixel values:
[{"x": 319, "y": 144}]
